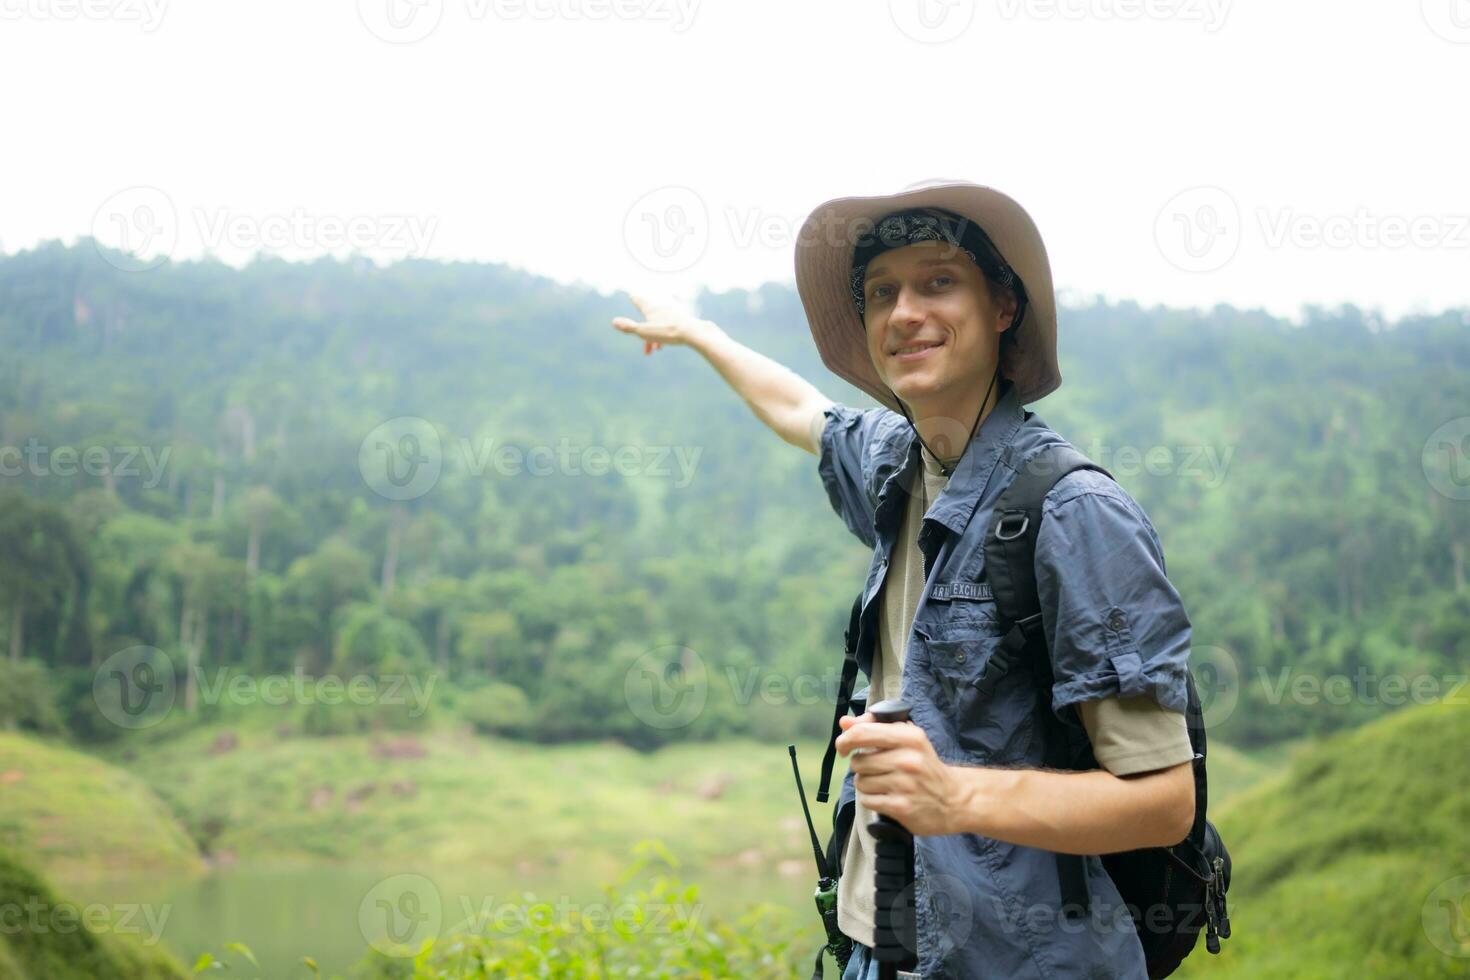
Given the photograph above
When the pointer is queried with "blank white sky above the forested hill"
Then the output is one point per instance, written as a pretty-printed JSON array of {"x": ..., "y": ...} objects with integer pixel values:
[{"x": 1331, "y": 137}]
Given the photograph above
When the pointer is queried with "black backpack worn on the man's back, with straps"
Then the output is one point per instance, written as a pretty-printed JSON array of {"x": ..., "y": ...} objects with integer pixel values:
[{"x": 1187, "y": 881}]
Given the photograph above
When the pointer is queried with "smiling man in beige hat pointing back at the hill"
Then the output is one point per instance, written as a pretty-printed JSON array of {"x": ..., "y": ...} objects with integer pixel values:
[{"x": 939, "y": 303}]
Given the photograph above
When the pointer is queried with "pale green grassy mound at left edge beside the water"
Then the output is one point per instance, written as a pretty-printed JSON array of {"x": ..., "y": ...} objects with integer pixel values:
[{"x": 76, "y": 816}]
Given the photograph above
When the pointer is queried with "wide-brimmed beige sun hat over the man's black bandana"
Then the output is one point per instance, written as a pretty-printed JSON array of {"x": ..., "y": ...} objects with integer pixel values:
[{"x": 825, "y": 258}]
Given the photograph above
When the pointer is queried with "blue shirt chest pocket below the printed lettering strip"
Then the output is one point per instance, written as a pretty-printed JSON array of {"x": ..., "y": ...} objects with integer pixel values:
[{"x": 986, "y": 696}]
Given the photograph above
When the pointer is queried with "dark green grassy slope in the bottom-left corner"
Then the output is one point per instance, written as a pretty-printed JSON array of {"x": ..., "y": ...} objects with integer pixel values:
[{"x": 37, "y": 947}]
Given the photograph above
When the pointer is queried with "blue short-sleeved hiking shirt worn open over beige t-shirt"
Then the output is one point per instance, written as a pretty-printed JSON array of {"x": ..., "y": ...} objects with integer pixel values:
[{"x": 1115, "y": 627}]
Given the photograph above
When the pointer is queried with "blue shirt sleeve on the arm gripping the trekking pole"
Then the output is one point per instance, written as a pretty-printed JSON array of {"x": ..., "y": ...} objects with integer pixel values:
[{"x": 1115, "y": 624}]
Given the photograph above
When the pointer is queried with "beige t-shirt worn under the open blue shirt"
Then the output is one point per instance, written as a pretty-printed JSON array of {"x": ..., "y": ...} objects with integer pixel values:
[{"x": 1130, "y": 735}]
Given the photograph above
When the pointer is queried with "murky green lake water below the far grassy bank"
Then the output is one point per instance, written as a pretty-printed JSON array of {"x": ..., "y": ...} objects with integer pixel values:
[{"x": 336, "y": 913}]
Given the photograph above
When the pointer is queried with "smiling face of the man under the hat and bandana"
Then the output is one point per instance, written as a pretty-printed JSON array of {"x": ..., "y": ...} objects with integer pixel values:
[{"x": 933, "y": 330}]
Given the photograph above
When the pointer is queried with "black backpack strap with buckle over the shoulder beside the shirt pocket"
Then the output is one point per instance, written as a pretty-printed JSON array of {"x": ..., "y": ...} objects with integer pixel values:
[{"x": 1011, "y": 568}]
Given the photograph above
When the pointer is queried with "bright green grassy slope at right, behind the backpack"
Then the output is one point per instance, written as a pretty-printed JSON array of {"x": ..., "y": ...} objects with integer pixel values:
[{"x": 1337, "y": 859}]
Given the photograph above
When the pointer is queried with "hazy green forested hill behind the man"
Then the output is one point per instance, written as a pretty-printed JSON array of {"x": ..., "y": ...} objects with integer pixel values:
[{"x": 464, "y": 468}]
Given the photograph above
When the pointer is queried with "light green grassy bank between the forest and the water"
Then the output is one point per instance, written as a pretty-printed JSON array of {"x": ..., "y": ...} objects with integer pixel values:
[{"x": 474, "y": 800}]
